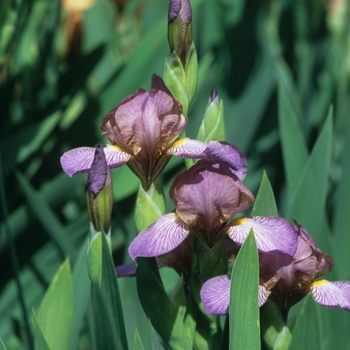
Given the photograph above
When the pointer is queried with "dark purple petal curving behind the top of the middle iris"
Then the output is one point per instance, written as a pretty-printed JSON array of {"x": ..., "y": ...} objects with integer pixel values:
[{"x": 228, "y": 154}]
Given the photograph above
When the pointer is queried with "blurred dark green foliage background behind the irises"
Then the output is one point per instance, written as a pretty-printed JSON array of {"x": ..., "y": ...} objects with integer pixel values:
[{"x": 278, "y": 66}]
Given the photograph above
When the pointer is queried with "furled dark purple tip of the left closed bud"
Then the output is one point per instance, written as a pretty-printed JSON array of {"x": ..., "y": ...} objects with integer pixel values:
[{"x": 98, "y": 173}]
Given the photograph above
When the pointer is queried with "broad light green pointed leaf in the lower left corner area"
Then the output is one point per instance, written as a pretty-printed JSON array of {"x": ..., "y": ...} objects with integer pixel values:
[{"x": 56, "y": 312}]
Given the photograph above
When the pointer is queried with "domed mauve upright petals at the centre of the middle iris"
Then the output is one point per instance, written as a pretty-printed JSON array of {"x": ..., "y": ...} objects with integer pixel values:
[{"x": 207, "y": 195}]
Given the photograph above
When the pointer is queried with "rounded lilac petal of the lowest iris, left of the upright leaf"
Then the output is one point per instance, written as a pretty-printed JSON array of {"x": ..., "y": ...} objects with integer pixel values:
[{"x": 215, "y": 295}]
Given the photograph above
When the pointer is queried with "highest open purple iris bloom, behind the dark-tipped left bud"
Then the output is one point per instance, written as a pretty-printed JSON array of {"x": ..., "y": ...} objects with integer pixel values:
[{"x": 142, "y": 130}]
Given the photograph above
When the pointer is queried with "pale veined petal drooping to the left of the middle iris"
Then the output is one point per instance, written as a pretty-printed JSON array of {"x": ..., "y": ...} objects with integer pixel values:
[{"x": 160, "y": 238}]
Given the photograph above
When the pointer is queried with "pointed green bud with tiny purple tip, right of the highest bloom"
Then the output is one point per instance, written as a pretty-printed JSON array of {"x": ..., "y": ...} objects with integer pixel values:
[{"x": 212, "y": 127}]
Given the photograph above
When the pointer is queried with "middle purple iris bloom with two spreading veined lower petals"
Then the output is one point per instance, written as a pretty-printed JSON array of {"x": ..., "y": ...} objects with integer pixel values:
[{"x": 207, "y": 196}]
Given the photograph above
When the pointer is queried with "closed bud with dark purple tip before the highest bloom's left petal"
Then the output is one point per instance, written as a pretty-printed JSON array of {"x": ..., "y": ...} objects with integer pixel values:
[{"x": 99, "y": 193}]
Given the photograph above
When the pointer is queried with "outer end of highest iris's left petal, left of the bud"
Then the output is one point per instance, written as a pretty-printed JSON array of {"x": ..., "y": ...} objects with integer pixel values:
[{"x": 77, "y": 160}]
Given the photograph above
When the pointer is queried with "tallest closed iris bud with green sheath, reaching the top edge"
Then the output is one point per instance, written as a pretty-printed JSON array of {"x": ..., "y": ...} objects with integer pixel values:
[{"x": 180, "y": 71}]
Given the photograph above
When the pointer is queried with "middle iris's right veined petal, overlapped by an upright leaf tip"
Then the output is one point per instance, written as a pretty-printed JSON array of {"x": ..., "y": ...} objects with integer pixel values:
[{"x": 272, "y": 234}]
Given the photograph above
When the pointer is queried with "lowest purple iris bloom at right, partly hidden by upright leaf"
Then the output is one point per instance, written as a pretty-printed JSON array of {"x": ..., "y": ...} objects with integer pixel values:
[{"x": 286, "y": 280}]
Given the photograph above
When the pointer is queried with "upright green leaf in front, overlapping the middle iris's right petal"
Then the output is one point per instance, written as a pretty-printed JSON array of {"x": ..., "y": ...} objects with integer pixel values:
[{"x": 244, "y": 306}]
